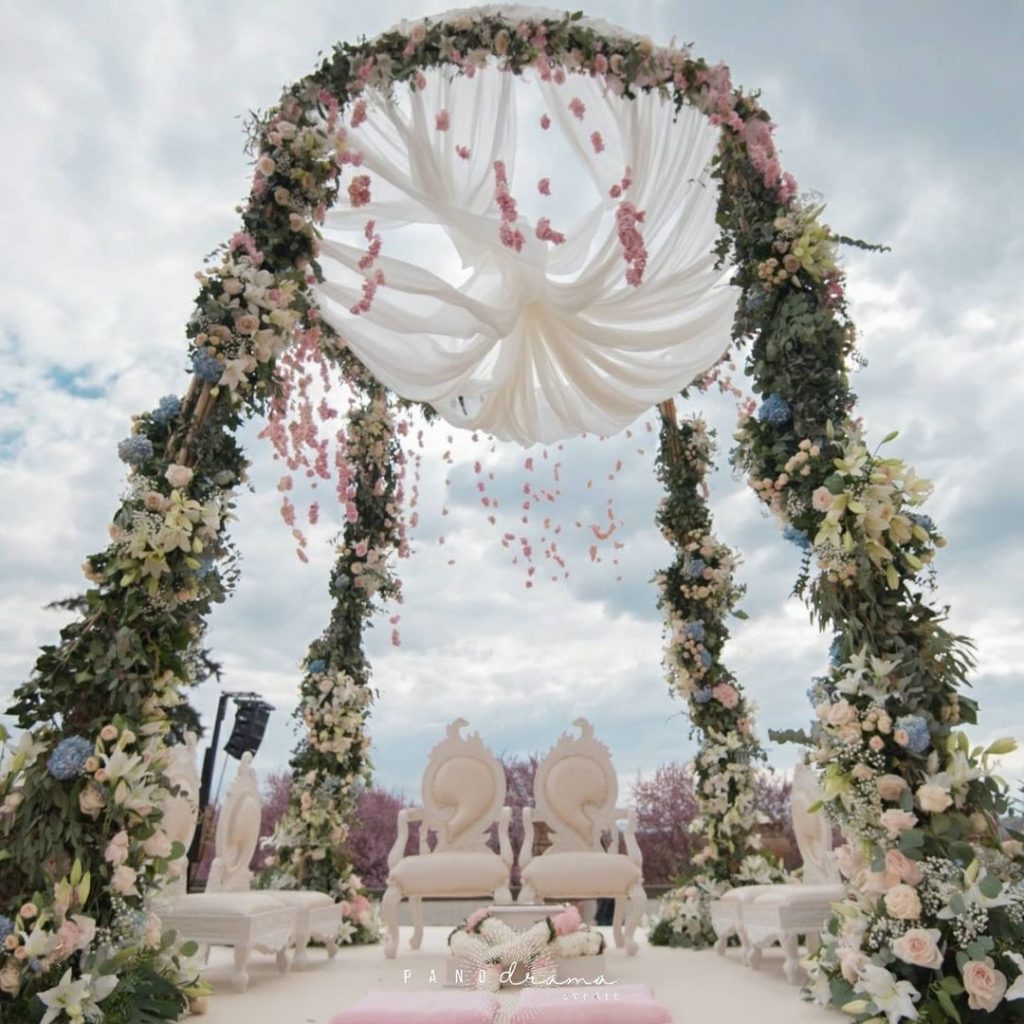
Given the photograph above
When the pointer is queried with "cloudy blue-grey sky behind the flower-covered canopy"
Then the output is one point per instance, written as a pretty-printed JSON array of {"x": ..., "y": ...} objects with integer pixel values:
[{"x": 122, "y": 168}]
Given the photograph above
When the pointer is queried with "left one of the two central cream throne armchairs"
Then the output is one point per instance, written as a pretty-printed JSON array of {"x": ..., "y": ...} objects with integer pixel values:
[{"x": 463, "y": 794}]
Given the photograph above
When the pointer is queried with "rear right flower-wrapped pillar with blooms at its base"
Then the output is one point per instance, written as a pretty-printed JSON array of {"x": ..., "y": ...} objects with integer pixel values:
[{"x": 698, "y": 593}]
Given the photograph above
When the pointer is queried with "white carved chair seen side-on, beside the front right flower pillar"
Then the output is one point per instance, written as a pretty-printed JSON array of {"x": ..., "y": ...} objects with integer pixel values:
[{"x": 762, "y": 916}]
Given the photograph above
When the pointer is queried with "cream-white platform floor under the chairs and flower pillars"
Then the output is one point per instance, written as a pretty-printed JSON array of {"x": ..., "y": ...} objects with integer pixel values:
[{"x": 698, "y": 988}]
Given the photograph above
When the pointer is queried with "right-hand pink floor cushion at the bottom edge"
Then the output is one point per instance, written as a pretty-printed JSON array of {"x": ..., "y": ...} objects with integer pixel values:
[{"x": 598, "y": 1005}]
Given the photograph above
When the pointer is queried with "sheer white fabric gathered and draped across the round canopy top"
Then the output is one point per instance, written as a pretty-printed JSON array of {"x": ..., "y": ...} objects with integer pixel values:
[{"x": 551, "y": 342}]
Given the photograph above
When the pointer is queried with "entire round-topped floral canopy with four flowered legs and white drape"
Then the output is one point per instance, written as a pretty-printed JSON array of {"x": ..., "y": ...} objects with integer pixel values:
[{"x": 634, "y": 304}]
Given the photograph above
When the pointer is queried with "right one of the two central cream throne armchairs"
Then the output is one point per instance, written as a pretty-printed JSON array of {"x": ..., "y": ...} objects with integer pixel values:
[{"x": 575, "y": 793}]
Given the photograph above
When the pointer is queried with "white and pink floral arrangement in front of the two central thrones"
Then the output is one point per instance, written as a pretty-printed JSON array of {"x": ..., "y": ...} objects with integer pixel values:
[{"x": 500, "y": 953}]
